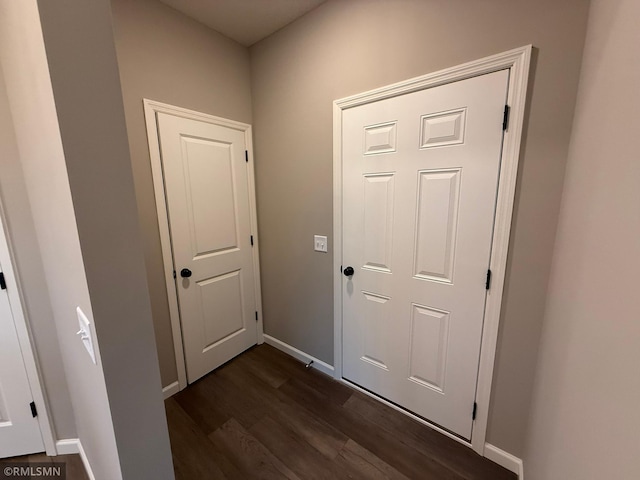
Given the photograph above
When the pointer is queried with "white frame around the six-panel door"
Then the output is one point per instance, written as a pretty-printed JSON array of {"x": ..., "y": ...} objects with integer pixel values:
[{"x": 517, "y": 61}]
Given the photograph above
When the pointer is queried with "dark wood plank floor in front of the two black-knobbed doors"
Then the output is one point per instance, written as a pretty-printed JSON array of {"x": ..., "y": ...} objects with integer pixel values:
[{"x": 263, "y": 415}]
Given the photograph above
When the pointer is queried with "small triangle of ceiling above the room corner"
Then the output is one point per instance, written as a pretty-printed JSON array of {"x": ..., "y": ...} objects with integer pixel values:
[{"x": 245, "y": 21}]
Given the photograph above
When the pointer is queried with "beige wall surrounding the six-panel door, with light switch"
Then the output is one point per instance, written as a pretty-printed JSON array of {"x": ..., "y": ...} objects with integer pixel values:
[{"x": 343, "y": 48}]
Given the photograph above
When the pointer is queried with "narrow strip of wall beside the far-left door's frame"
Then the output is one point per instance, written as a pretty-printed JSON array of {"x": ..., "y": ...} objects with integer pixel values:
[{"x": 14, "y": 201}]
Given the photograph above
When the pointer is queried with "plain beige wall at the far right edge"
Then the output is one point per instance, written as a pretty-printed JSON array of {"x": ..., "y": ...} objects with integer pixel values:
[{"x": 585, "y": 414}]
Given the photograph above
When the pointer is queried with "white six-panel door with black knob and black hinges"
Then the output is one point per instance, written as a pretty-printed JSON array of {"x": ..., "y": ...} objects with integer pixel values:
[{"x": 420, "y": 176}]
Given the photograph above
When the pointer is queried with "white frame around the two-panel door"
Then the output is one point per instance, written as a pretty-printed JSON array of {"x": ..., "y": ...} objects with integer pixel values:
[{"x": 151, "y": 109}]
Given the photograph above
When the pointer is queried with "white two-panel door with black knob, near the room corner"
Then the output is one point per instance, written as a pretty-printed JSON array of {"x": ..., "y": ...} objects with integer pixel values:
[{"x": 207, "y": 191}]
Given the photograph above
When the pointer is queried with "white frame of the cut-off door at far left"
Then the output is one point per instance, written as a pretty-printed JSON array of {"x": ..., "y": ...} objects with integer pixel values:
[{"x": 24, "y": 339}]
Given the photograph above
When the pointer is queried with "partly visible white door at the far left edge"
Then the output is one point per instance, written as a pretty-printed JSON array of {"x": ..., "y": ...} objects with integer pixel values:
[{"x": 19, "y": 430}]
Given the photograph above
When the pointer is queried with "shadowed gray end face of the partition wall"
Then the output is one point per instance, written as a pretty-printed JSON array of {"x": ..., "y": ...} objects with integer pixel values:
[{"x": 86, "y": 85}]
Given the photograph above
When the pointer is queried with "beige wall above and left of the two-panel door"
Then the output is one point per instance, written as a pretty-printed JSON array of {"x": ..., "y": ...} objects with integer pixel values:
[{"x": 165, "y": 56}]
